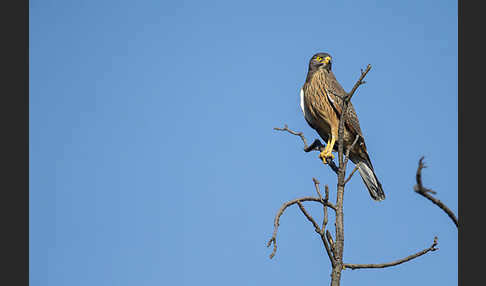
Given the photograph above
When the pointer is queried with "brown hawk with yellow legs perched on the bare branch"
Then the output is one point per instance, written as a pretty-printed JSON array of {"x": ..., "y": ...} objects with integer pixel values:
[{"x": 320, "y": 101}]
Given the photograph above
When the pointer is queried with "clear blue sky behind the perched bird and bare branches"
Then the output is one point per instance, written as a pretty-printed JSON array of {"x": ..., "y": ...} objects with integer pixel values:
[{"x": 152, "y": 155}]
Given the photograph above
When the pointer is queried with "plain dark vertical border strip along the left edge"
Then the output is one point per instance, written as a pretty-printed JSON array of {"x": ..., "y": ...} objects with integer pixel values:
[{"x": 14, "y": 210}]
